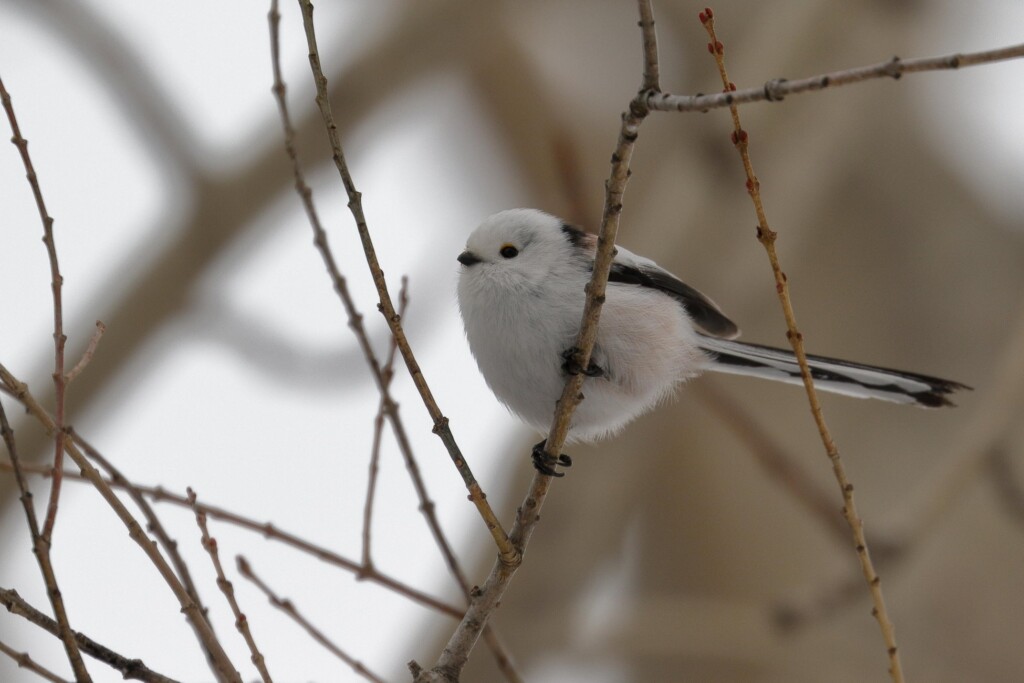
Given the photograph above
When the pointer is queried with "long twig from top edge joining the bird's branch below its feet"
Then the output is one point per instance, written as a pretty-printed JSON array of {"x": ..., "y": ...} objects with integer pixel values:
[{"x": 505, "y": 548}]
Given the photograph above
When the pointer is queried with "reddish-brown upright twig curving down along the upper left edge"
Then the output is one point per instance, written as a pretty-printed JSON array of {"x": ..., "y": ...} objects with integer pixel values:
[{"x": 57, "y": 282}]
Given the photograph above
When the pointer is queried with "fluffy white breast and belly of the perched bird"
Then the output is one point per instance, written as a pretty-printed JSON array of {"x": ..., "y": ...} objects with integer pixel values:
[{"x": 519, "y": 347}]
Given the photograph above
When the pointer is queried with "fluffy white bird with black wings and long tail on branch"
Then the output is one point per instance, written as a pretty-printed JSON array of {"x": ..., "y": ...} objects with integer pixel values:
[{"x": 522, "y": 297}]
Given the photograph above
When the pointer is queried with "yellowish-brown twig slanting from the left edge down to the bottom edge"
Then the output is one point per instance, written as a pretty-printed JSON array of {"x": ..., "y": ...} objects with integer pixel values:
[{"x": 189, "y": 607}]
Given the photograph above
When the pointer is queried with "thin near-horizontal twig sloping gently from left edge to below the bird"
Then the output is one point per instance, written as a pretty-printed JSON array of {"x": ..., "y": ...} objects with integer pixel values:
[{"x": 270, "y": 532}]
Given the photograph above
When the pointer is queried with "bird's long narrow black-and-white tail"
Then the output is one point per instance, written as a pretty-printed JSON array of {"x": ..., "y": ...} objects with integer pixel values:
[{"x": 851, "y": 379}]
